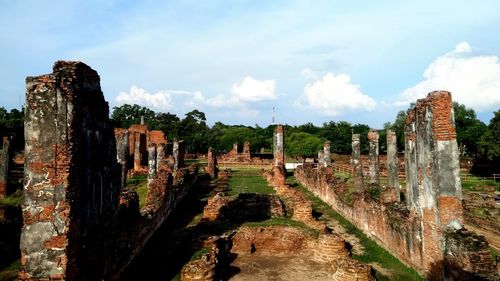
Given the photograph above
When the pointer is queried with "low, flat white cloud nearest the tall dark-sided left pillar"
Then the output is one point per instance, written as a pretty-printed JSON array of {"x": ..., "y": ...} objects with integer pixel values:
[{"x": 162, "y": 100}]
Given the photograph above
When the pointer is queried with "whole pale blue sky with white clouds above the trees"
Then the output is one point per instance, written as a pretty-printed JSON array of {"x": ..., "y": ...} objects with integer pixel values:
[{"x": 314, "y": 61}]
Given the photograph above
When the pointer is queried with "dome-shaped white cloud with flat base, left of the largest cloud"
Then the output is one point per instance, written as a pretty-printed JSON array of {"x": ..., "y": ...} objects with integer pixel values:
[{"x": 332, "y": 95}]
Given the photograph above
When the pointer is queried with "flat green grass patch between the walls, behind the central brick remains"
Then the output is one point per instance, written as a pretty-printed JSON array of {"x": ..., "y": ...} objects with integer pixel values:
[{"x": 248, "y": 181}]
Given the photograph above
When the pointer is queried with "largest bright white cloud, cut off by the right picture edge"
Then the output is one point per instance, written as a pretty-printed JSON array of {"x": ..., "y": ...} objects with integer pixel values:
[{"x": 472, "y": 80}]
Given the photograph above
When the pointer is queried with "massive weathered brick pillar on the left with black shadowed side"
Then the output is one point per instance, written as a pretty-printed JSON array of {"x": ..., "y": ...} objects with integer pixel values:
[{"x": 71, "y": 176}]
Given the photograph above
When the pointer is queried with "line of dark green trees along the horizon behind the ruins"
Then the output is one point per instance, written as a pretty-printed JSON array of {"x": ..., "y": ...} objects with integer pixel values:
[{"x": 474, "y": 138}]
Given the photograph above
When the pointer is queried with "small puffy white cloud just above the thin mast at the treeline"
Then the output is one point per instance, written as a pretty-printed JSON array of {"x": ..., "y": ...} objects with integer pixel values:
[{"x": 249, "y": 90}]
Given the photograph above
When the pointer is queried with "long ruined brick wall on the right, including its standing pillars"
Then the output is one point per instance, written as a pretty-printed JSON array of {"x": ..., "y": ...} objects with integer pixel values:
[{"x": 426, "y": 231}]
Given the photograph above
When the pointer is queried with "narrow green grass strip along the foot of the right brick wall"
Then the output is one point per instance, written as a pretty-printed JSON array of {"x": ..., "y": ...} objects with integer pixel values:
[{"x": 372, "y": 251}]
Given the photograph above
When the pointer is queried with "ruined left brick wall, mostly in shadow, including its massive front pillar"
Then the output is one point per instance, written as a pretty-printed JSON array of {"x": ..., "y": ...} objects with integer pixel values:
[{"x": 80, "y": 223}]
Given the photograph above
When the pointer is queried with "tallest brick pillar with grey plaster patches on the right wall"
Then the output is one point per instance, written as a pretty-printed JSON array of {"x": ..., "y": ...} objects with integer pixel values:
[{"x": 433, "y": 182}]
